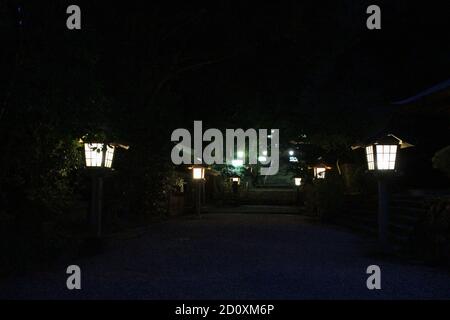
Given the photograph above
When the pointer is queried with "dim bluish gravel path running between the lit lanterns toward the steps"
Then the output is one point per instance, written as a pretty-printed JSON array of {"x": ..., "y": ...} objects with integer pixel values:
[{"x": 235, "y": 256}]
